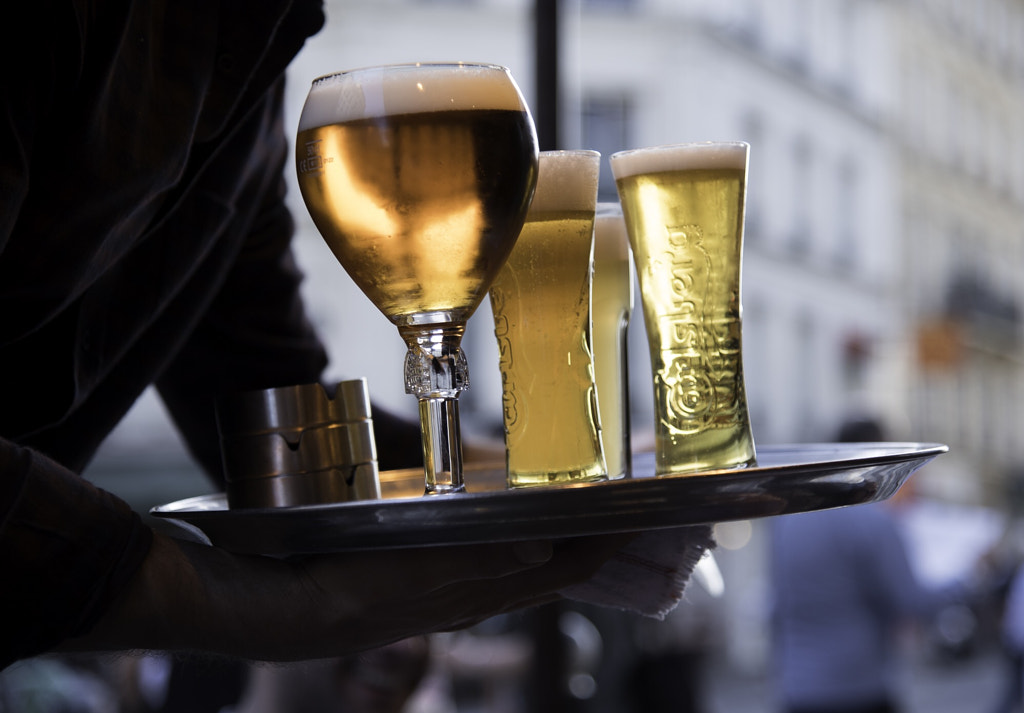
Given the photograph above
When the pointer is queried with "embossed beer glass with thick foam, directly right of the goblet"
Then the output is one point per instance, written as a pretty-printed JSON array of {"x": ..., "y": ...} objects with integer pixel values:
[{"x": 541, "y": 303}]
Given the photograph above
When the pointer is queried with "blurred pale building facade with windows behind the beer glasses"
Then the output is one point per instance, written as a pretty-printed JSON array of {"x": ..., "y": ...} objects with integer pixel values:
[{"x": 885, "y": 229}]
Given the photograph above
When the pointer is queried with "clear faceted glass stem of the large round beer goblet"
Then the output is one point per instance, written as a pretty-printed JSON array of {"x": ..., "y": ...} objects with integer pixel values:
[{"x": 437, "y": 373}]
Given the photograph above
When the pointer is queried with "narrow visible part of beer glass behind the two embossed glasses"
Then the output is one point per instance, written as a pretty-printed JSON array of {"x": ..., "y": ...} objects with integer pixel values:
[{"x": 613, "y": 306}]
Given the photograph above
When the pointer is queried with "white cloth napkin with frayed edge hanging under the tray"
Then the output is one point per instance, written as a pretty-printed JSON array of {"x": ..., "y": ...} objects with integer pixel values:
[{"x": 648, "y": 576}]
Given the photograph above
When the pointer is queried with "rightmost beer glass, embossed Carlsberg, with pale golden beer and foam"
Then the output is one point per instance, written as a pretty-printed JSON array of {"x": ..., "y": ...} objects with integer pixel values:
[{"x": 684, "y": 207}]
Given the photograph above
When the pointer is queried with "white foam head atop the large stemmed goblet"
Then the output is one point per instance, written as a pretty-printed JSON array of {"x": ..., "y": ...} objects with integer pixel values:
[{"x": 381, "y": 92}]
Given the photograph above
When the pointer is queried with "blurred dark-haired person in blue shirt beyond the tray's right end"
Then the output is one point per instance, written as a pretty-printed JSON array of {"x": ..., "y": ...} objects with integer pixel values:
[{"x": 843, "y": 589}]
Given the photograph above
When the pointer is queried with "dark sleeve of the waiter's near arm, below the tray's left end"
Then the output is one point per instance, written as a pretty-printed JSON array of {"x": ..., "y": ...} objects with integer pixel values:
[{"x": 67, "y": 550}]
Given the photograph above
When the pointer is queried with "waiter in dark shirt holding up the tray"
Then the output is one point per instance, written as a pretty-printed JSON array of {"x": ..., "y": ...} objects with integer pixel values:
[{"x": 145, "y": 241}]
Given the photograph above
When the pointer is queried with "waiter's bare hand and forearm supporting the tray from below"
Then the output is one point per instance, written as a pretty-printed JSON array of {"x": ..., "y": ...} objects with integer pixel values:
[{"x": 194, "y": 598}]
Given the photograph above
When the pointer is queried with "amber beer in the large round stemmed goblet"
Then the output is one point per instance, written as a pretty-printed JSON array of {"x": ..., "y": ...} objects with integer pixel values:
[{"x": 422, "y": 209}]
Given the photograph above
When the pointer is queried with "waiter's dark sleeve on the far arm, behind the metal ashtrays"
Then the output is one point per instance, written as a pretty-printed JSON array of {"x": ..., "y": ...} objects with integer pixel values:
[{"x": 255, "y": 334}]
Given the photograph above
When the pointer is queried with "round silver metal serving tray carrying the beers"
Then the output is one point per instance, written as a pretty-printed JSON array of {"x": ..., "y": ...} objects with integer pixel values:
[{"x": 403, "y": 522}]
